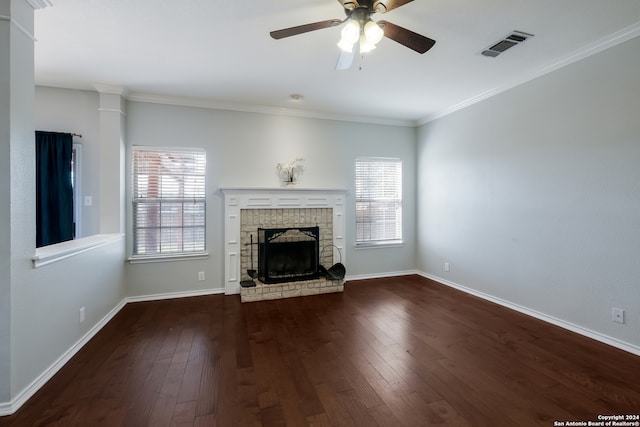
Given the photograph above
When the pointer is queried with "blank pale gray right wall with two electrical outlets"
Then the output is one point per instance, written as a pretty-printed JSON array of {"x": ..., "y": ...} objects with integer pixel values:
[{"x": 532, "y": 196}]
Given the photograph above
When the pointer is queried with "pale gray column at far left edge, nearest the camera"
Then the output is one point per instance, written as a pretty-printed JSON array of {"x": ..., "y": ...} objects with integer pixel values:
[{"x": 17, "y": 165}]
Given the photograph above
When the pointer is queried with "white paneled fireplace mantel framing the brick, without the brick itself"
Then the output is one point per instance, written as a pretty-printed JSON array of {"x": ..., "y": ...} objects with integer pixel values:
[{"x": 238, "y": 198}]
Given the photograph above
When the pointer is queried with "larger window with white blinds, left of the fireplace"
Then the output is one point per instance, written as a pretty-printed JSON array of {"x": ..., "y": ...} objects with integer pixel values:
[{"x": 168, "y": 201}]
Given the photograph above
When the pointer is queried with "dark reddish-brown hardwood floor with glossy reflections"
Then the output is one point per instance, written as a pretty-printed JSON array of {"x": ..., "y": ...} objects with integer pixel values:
[{"x": 399, "y": 351}]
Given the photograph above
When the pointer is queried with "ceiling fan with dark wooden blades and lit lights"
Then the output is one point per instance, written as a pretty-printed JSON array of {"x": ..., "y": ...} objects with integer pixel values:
[{"x": 361, "y": 33}]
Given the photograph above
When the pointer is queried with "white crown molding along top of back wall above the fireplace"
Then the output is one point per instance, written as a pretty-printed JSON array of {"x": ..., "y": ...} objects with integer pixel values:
[{"x": 262, "y": 109}]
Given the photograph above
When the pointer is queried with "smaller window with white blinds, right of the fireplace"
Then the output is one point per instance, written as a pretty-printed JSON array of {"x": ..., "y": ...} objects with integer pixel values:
[{"x": 378, "y": 201}]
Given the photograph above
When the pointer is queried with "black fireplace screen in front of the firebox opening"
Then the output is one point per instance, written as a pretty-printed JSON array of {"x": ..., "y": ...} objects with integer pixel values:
[{"x": 288, "y": 254}]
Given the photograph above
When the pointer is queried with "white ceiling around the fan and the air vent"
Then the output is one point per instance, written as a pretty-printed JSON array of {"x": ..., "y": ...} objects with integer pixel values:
[{"x": 219, "y": 53}]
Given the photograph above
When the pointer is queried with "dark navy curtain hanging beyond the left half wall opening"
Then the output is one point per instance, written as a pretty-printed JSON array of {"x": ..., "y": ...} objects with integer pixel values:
[{"x": 54, "y": 190}]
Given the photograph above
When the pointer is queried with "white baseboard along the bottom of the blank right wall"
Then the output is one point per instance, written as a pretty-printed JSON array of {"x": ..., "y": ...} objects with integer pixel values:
[{"x": 614, "y": 342}]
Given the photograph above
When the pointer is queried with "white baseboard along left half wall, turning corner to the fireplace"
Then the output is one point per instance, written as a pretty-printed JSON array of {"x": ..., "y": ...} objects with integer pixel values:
[{"x": 8, "y": 408}]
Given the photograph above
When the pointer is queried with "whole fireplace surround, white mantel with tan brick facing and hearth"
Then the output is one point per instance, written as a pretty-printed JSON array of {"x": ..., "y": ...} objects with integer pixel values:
[{"x": 247, "y": 209}]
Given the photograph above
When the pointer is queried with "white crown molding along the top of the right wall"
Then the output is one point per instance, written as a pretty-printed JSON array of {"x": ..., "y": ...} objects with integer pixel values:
[{"x": 598, "y": 46}]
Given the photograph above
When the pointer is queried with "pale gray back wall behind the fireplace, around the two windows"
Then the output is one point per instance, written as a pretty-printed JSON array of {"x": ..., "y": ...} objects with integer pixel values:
[{"x": 242, "y": 151}]
